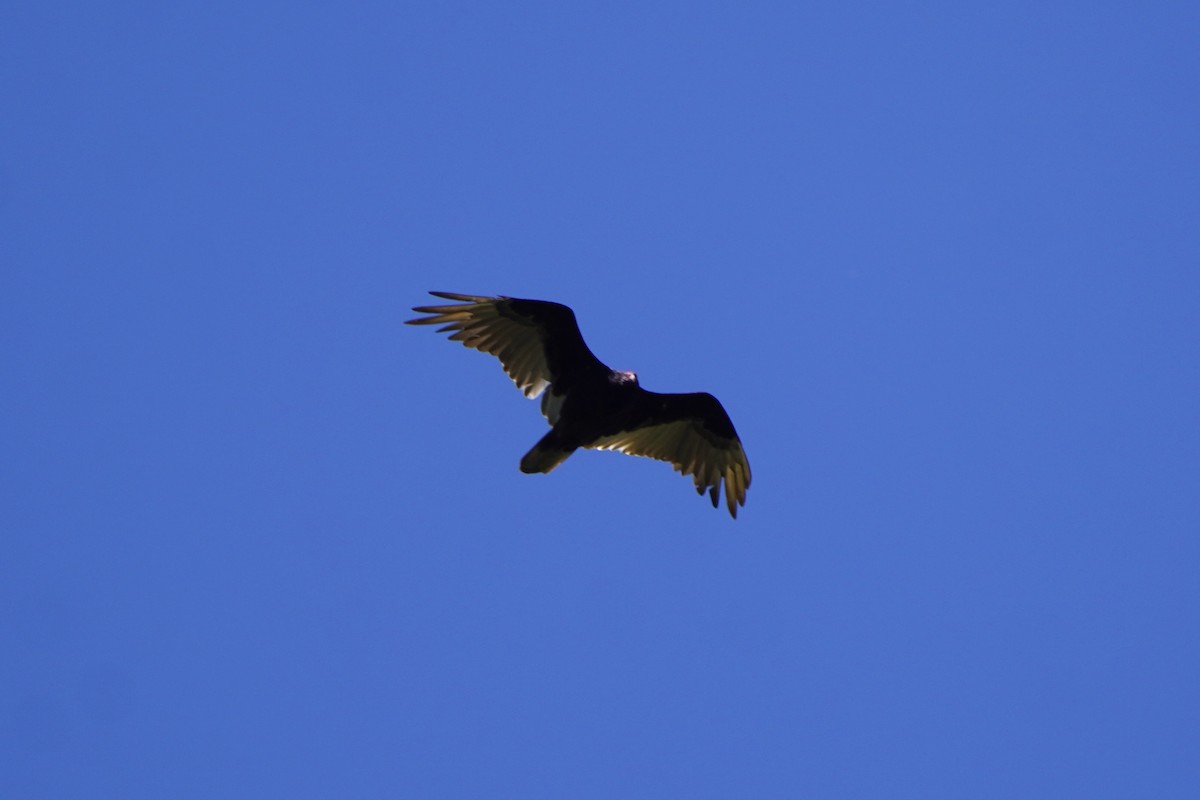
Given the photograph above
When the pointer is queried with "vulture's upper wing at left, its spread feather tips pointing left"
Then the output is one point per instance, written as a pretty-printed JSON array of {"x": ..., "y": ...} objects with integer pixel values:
[{"x": 538, "y": 342}]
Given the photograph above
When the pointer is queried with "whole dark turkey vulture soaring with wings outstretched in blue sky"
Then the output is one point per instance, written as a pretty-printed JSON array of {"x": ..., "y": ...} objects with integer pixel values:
[{"x": 589, "y": 405}]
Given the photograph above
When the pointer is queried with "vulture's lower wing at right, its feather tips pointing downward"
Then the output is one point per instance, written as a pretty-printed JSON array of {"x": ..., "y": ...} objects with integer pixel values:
[{"x": 695, "y": 435}]
